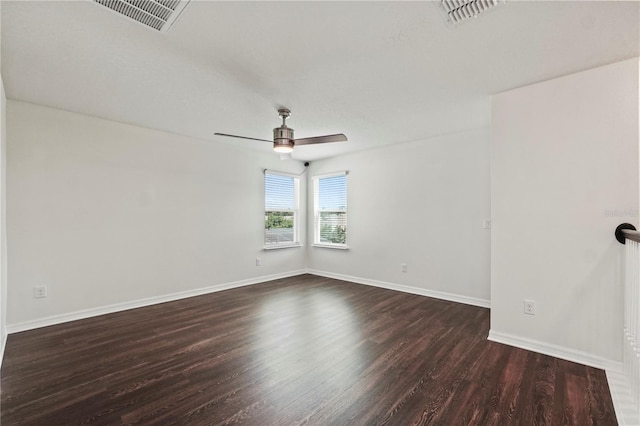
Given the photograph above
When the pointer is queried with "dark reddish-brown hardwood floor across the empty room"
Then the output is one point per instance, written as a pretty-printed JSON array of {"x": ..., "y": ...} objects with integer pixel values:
[{"x": 302, "y": 350}]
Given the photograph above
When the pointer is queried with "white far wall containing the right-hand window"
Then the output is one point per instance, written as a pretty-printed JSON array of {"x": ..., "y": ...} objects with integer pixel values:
[{"x": 421, "y": 203}]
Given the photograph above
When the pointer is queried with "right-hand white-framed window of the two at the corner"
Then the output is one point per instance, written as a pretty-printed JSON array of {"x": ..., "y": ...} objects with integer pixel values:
[{"x": 330, "y": 210}]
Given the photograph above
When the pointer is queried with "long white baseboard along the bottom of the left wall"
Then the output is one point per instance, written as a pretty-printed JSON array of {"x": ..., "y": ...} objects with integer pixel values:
[{"x": 88, "y": 313}]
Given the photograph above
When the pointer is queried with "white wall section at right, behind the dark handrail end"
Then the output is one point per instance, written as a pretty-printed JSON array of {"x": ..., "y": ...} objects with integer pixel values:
[{"x": 564, "y": 174}]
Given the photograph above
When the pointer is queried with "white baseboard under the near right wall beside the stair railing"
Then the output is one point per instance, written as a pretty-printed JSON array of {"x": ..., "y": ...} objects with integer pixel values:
[{"x": 553, "y": 350}]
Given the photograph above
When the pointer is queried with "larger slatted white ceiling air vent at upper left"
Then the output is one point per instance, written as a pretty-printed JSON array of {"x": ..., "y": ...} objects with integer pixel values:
[{"x": 157, "y": 14}]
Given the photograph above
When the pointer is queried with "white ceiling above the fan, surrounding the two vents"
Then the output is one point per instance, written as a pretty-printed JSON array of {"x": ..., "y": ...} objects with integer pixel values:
[{"x": 380, "y": 72}]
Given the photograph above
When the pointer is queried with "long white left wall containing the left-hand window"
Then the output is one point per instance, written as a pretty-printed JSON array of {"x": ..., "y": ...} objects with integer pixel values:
[{"x": 105, "y": 213}]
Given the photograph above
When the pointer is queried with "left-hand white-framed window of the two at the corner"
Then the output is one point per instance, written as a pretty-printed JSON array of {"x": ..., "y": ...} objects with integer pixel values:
[{"x": 281, "y": 195}]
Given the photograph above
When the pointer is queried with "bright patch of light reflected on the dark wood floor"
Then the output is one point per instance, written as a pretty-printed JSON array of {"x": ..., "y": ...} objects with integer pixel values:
[{"x": 298, "y": 332}]
